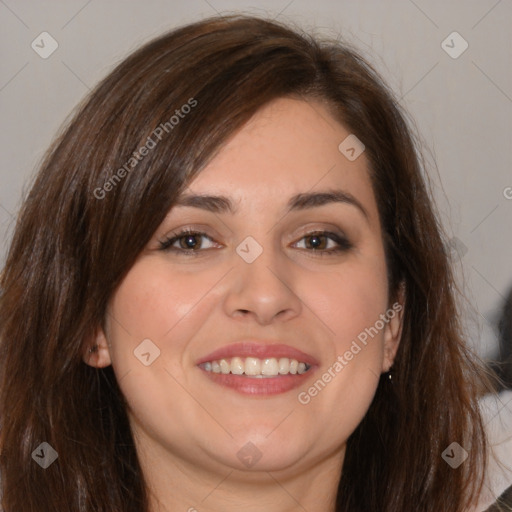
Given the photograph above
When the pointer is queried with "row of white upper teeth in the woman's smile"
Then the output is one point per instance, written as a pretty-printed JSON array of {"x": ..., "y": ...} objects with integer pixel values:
[{"x": 254, "y": 367}]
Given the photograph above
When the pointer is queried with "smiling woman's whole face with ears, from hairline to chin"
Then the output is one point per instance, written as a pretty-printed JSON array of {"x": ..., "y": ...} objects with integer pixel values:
[{"x": 257, "y": 342}]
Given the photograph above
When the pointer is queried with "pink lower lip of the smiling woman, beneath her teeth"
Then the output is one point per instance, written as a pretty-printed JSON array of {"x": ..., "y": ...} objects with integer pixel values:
[{"x": 262, "y": 387}]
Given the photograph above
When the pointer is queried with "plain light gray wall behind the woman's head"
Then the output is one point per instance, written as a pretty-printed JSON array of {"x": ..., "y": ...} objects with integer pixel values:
[{"x": 462, "y": 106}]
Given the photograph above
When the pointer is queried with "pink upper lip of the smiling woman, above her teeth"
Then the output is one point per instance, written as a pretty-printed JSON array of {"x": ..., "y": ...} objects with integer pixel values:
[{"x": 259, "y": 349}]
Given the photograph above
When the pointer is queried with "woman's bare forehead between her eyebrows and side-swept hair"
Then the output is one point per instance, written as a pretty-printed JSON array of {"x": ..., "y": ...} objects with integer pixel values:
[{"x": 288, "y": 147}]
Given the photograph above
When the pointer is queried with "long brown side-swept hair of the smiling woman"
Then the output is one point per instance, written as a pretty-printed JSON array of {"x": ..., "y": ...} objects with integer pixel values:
[{"x": 85, "y": 222}]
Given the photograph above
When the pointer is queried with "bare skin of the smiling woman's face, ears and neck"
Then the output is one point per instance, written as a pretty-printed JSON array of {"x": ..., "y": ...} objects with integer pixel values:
[{"x": 188, "y": 429}]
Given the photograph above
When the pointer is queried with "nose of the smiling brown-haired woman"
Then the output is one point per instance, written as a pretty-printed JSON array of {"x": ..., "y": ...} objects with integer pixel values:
[{"x": 262, "y": 290}]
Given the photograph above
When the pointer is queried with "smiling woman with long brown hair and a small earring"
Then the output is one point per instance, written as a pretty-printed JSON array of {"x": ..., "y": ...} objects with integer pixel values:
[{"x": 228, "y": 288}]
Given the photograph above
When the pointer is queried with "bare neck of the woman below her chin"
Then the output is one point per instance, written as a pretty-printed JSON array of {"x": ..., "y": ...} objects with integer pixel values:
[{"x": 177, "y": 484}]
